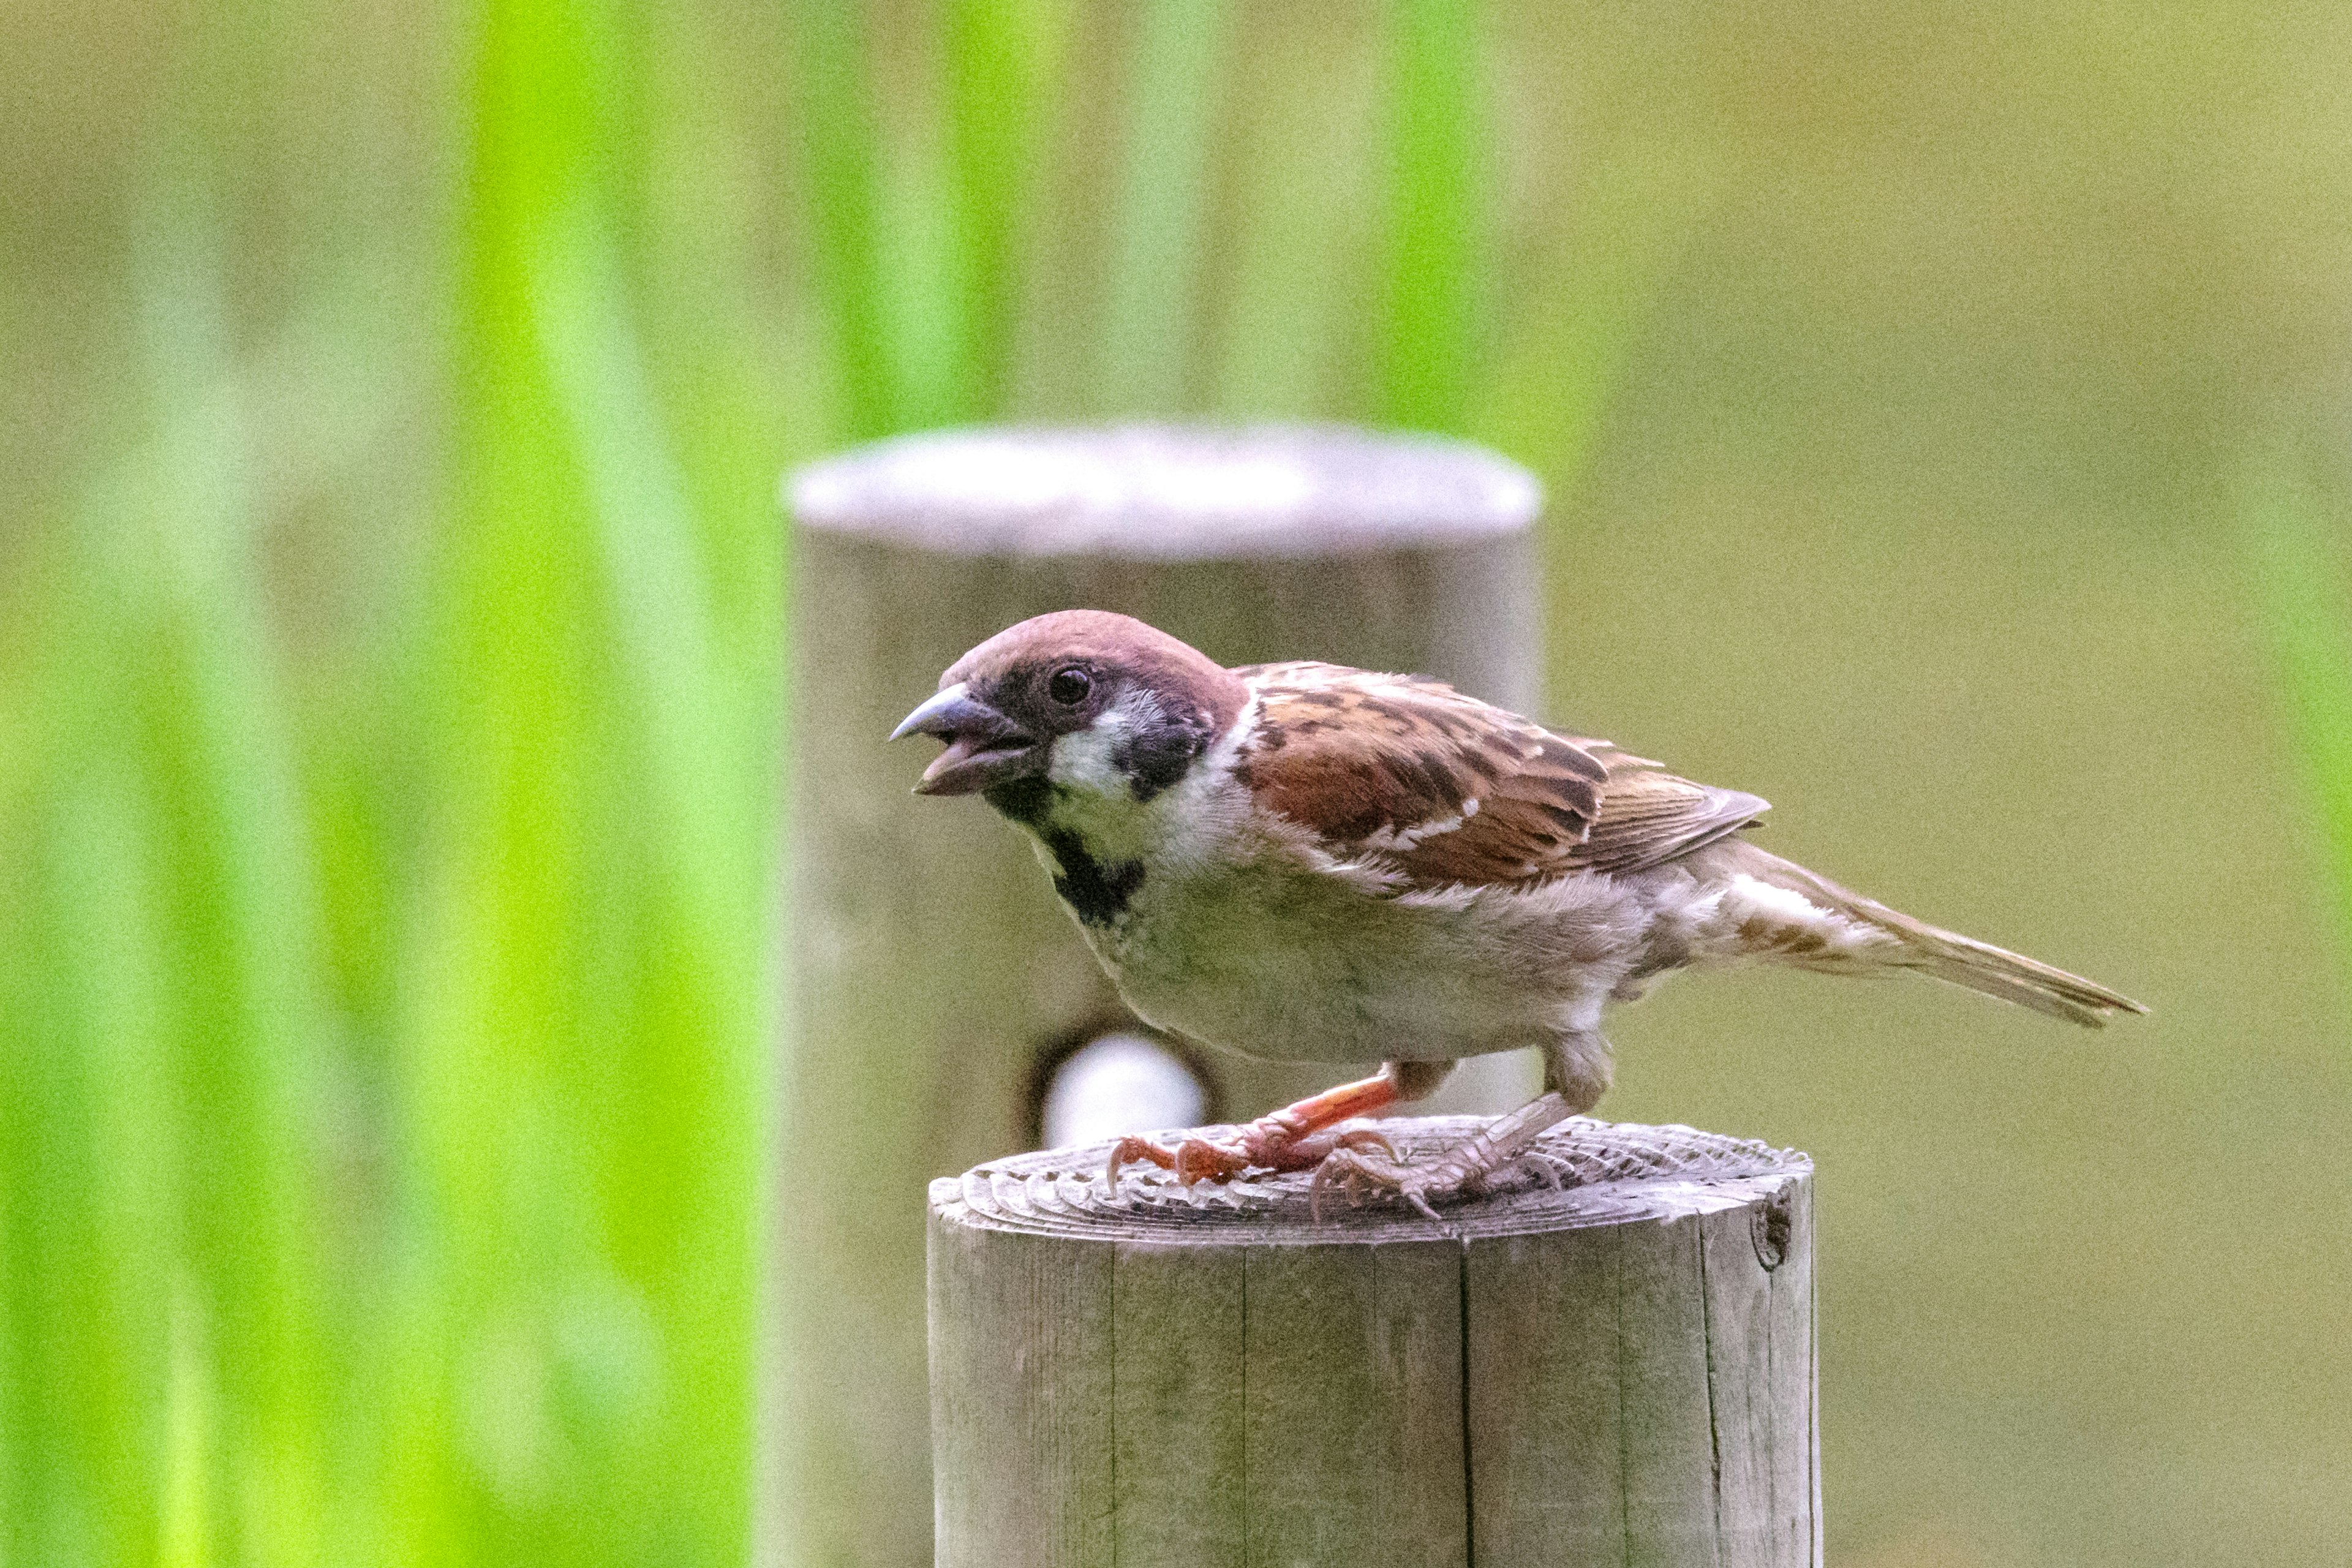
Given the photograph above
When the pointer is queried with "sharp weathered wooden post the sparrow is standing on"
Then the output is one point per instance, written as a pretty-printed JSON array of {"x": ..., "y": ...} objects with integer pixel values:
[{"x": 1612, "y": 1372}]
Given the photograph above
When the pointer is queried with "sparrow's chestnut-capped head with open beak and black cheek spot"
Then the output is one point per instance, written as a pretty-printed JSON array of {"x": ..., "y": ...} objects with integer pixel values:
[{"x": 1078, "y": 702}]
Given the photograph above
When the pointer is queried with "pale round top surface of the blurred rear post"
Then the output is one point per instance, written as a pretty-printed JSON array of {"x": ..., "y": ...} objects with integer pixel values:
[{"x": 1165, "y": 492}]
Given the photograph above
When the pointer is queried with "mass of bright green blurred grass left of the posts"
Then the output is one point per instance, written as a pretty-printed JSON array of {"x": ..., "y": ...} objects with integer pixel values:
[{"x": 389, "y": 826}]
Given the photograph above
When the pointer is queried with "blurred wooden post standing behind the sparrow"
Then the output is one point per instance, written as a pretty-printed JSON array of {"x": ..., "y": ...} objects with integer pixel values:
[{"x": 933, "y": 963}]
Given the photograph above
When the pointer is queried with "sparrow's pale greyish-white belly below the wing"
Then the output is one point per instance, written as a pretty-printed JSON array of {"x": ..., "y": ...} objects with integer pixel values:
[{"x": 1285, "y": 963}]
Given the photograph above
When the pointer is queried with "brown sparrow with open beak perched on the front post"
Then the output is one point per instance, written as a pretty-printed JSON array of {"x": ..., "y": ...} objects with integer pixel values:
[{"x": 1309, "y": 862}]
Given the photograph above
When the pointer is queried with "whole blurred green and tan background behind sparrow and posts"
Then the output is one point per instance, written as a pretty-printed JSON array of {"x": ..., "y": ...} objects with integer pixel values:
[{"x": 1944, "y": 410}]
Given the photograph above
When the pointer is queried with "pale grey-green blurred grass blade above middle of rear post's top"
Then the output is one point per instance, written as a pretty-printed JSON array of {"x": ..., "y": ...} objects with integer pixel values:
[{"x": 1158, "y": 225}]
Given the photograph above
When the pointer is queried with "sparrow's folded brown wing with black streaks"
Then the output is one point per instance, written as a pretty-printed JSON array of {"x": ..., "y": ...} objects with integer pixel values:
[{"x": 1441, "y": 789}]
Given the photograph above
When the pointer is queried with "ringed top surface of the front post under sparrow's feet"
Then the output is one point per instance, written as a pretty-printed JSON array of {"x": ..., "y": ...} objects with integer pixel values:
[{"x": 1605, "y": 1172}]
